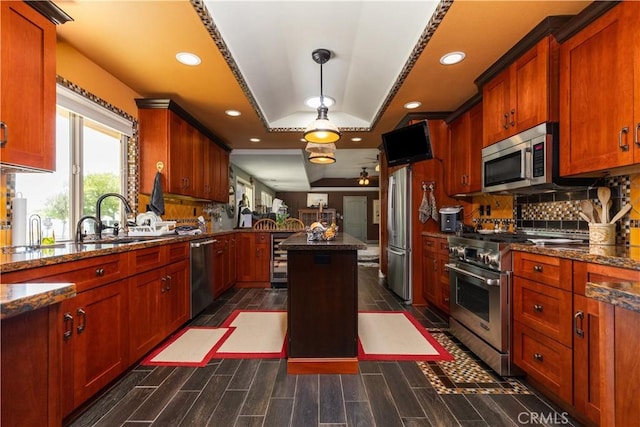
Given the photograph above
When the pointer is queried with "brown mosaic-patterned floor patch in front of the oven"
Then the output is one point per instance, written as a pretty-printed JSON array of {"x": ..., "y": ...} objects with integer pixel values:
[{"x": 465, "y": 374}]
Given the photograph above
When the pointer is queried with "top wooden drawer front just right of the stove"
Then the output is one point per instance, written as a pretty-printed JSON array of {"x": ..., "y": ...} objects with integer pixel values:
[{"x": 550, "y": 271}]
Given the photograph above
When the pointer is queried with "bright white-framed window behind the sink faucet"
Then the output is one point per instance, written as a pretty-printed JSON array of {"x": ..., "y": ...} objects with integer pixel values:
[{"x": 91, "y": 144}]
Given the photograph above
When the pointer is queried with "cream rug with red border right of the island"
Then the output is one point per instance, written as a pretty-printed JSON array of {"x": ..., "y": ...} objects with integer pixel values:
[{"x": 385, "y": 335}]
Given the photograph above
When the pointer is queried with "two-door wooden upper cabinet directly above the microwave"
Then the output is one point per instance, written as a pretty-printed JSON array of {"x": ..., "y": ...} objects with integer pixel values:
[{"x": 523, "y": 95}]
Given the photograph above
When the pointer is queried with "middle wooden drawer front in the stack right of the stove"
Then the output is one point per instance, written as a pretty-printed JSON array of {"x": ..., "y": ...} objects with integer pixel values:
[{"x": 543, "y": 308}]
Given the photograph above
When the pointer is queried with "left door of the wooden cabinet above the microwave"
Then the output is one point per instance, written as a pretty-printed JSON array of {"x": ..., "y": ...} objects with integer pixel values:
[{"x": 495, "y": 99}]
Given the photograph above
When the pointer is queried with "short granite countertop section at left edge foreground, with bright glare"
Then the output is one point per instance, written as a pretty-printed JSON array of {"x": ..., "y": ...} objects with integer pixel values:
[{"x": 20, "y": 298}]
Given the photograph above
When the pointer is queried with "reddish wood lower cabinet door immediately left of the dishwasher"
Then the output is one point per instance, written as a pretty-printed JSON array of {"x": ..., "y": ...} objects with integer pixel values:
[{"x": 176, "y": 295}]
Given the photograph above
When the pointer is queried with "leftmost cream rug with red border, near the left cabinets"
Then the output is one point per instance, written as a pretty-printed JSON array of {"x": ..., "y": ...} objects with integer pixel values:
[{"x": 193, "y": 346}]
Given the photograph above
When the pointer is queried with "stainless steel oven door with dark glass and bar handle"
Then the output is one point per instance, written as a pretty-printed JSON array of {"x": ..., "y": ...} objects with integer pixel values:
[{"x": 479, "y": 302}]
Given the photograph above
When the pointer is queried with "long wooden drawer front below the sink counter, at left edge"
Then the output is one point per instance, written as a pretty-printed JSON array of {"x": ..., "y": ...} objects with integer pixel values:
[{"x": 86, "y": 274}]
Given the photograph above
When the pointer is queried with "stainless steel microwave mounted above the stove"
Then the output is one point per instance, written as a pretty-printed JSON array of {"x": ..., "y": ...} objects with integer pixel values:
[{"x": 526, "y": 163}]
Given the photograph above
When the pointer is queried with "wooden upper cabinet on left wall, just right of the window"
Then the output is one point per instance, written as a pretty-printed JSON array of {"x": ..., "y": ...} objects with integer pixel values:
[{"x": 194, "y": 165}]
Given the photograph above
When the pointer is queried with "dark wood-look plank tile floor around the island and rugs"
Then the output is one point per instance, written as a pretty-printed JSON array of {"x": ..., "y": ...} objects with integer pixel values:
[{"x": 258, "y": 392}]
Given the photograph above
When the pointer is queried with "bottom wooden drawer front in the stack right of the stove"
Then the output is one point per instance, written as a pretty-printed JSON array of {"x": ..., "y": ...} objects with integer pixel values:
[{"x": 544, "y": 359}]
